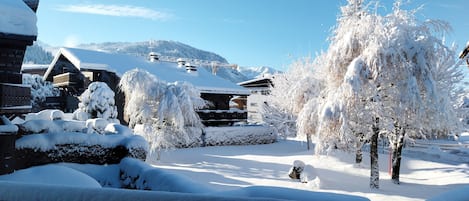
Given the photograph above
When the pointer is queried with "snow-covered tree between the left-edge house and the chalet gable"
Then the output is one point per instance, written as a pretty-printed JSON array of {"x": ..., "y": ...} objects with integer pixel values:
[{"x": 40, "y": 89}]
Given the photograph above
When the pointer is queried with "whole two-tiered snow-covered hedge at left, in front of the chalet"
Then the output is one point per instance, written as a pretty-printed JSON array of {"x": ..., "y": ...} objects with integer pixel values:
[{"x": 47, "y": 138}]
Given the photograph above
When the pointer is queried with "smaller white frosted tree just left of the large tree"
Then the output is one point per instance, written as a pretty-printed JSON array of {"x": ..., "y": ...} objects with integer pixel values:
[{"x": 291, "y": 91}]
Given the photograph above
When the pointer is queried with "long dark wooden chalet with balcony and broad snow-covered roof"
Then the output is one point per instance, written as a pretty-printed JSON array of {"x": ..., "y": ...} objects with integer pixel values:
[{"x": 72, "y": 70}]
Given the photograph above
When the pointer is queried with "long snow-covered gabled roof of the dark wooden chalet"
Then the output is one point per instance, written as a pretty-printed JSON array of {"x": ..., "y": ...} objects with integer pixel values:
[{"x": 168, "y": 71}]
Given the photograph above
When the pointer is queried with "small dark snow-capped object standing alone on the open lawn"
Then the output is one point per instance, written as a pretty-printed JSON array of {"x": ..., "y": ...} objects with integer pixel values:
[{"x": 304, "y": 173}]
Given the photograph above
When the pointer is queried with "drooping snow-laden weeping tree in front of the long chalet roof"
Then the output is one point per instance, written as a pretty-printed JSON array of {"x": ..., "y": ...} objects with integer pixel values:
[{"x": 168, "y": 109}]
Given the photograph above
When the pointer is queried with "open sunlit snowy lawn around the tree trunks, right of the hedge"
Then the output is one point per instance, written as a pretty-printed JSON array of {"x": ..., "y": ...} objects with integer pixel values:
[{"x": 424, "y": 173}]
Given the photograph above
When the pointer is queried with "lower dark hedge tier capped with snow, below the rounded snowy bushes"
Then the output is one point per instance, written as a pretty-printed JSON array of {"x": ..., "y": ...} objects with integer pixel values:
[{"x": 39, "y": 149}]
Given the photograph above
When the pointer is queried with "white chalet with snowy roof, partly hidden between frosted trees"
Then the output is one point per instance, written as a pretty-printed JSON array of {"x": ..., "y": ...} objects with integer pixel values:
[{"x": 260, "y": 88}]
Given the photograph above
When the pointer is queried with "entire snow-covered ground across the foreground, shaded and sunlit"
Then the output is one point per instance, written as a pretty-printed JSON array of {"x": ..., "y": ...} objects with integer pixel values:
[{"x": 251, "y": 172}]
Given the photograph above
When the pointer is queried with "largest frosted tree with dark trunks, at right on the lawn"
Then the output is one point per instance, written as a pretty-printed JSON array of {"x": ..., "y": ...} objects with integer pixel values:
[{"x": 382, "y": 75}]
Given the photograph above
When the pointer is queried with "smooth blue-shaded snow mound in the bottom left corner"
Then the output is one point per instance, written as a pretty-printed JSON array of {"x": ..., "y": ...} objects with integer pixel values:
[{"x": 52, "y": 175}]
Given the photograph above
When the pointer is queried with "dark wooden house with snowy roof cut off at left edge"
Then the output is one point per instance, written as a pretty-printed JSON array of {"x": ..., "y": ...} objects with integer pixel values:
[{"x": 17, "y": 30}]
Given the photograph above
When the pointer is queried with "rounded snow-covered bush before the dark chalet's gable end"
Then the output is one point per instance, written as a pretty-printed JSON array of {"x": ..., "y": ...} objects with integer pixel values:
[{"x": 98, "y": 102}]
